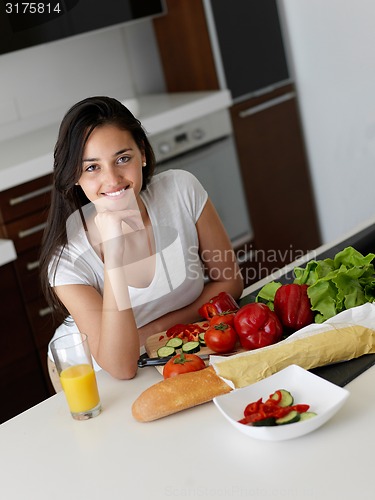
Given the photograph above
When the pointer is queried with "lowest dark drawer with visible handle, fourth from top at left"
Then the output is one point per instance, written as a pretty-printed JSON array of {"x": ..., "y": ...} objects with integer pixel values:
[{"x": 41, "y": 320}]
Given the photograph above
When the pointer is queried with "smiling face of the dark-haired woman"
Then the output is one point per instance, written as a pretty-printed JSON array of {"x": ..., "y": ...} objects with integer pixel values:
[{"x": 111, "y": 165}]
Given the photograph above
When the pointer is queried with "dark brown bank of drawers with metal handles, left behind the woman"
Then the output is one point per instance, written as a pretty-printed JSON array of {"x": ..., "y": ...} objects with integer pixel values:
[{"x": 23, "y": 213}]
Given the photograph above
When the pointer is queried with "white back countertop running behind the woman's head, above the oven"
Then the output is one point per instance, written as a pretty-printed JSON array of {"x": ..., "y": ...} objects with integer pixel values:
[{"x": 30, "y": 156}]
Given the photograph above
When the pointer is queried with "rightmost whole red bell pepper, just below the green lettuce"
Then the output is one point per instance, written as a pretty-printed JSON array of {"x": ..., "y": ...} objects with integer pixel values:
[{"x": 293, "y": 307}]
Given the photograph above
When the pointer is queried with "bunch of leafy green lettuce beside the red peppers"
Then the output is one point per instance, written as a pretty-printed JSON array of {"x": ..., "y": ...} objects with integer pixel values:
[{"x": 337, "y": 284}]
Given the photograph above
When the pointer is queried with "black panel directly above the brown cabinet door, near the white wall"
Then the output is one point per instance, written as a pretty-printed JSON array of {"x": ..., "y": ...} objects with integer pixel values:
[{"x": 250, "y": 44}]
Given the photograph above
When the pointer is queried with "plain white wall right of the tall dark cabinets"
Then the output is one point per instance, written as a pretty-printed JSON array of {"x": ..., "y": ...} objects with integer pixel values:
[{"x": 332, "y": 52}]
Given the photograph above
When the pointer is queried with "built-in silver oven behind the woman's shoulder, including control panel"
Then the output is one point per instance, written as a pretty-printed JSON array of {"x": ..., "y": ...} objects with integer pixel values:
[{"x": 205, "y": 147}]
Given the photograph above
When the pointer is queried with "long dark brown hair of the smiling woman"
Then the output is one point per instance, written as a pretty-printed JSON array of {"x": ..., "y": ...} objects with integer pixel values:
[{"x": 75, "y": 129}]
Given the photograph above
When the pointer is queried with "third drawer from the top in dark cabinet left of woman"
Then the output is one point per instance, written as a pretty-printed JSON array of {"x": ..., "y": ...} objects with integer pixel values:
[{"x": 27, "y": 267}]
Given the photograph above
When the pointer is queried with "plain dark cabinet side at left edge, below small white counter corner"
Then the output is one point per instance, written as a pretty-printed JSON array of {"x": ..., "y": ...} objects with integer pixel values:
[{"x": 22, "y": 382}]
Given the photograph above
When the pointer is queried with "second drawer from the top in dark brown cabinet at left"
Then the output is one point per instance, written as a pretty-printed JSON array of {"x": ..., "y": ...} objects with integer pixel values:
[{"x": 27, "y": 232}]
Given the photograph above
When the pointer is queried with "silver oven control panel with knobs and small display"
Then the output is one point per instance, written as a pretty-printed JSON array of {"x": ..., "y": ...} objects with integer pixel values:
[{"x": 191, "y": 135}]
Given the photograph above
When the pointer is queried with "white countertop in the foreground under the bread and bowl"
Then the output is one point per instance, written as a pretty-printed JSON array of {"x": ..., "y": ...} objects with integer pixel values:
[{"x": 192, "y": 454}]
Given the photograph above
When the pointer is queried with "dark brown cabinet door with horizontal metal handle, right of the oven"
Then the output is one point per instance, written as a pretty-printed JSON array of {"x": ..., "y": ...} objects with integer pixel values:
[{"x": 276, "y": 177}]
